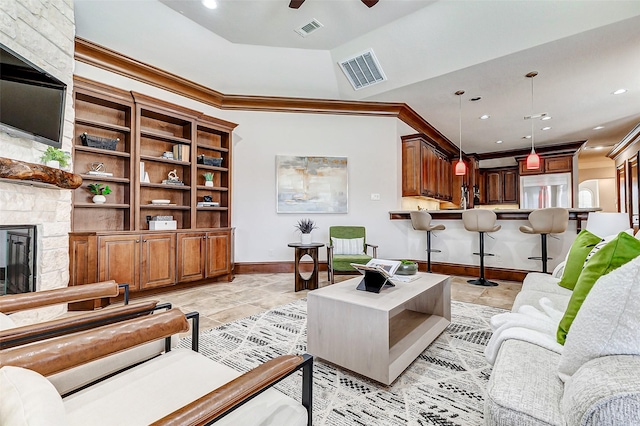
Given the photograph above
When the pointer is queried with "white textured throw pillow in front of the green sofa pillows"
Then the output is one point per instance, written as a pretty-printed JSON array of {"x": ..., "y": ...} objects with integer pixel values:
[{"x": 607, "y": 322}]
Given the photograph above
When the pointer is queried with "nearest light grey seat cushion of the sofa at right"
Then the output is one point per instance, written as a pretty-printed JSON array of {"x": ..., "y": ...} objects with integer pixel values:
[{"x": 524, "y": 388}]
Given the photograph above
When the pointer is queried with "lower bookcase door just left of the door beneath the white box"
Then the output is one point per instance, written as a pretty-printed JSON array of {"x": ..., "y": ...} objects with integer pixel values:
[{"x": 119, "y": 259}]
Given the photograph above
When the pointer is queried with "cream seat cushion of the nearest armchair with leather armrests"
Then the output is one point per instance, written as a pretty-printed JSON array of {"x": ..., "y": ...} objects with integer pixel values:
[{"x": 160, "y": 386}]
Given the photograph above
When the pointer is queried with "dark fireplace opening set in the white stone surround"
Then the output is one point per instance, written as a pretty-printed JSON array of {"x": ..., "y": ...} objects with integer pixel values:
[{"x": 17, "y": 259}]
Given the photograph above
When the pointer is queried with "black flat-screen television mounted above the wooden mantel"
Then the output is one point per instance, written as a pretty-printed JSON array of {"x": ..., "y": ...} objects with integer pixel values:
[{"x": 32, "y": 101}]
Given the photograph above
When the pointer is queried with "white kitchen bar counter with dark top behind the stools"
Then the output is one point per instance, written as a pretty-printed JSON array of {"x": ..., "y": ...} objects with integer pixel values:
[{"x": 511, "y": 248}]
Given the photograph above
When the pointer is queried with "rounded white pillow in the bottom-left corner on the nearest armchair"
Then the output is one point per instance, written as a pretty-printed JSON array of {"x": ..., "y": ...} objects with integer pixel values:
[{"x": 29, "y": 399}]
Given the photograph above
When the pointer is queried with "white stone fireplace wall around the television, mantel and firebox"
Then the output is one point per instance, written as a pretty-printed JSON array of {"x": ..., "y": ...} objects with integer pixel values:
[{"x": 43, "y": 33}]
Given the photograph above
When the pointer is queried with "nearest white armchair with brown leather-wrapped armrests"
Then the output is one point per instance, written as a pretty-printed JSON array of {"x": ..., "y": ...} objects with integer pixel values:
[{"x": 178, "y": 387}]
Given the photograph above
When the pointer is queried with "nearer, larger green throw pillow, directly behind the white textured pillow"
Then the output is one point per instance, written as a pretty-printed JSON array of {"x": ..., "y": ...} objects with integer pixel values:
[{"x": 616, "y": 253}]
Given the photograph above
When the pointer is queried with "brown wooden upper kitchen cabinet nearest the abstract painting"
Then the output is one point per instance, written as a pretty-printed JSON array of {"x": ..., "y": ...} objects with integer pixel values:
[{"x": 426, "y": 171}]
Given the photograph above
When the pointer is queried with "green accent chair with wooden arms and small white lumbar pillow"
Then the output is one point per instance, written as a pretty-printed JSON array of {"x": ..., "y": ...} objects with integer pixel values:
[{"x": 341, "y": 263}]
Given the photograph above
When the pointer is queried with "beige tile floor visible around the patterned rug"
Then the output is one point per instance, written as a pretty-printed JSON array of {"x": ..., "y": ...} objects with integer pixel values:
[{"x": 219, "y": 303}]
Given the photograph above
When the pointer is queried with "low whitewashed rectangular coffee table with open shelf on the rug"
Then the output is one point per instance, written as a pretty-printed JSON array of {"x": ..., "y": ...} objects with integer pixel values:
[{"x": 377, "y": 335}]
